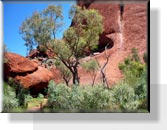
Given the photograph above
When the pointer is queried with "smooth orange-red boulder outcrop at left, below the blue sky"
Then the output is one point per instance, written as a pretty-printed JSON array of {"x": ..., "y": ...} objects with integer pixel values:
[{"x": 26, "y": 72}]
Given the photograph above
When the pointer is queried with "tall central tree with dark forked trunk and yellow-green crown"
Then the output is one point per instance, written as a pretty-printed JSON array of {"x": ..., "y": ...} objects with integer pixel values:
[{"x": 81, "y": 36}]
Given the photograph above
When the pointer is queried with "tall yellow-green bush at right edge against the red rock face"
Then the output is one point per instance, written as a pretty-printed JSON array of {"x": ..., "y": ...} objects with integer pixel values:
[{"x": 135, "y": 77}]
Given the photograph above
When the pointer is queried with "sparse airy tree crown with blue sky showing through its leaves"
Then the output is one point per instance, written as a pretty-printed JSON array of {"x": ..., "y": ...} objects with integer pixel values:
[{"x": 41, "y": 27}]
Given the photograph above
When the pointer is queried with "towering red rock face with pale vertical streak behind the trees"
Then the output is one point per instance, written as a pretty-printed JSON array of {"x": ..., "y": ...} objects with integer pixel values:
[{"x": 125, "y": 27}]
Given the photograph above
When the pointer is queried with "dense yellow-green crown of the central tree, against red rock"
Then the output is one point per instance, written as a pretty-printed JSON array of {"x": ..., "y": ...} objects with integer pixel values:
[{"x": 84, "y": 34}]
